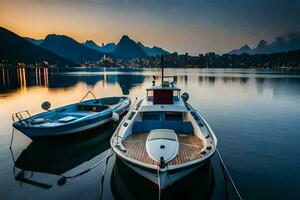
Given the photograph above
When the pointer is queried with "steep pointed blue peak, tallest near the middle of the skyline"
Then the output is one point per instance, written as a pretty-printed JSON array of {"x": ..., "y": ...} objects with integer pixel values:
[{"x": 128, "y": 49}]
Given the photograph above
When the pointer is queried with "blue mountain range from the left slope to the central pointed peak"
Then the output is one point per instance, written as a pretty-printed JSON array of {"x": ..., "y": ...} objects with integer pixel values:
[{"x": 67, "y": 47}]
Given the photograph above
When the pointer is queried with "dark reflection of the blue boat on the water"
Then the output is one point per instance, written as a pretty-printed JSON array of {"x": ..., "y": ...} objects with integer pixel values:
[{"x": 58, "y": 156}]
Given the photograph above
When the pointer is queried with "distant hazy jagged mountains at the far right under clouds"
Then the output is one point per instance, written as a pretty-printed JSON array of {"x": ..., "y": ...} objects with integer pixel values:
[{"x": 280, "y": 44}]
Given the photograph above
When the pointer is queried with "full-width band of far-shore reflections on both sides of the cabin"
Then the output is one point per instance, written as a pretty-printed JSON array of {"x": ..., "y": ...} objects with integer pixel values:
[{"x": 14, "y": 79}]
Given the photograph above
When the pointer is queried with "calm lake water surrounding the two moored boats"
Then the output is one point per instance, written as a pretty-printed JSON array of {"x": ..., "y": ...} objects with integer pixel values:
[{"x": 255, "y": 115}]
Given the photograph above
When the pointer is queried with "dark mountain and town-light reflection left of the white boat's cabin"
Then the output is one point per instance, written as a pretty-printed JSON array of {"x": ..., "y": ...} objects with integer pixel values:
[{"x": 13, "y": 79}]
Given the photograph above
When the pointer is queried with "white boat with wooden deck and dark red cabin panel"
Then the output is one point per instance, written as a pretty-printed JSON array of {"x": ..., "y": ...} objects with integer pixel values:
[{"x": 163, "y": 138}]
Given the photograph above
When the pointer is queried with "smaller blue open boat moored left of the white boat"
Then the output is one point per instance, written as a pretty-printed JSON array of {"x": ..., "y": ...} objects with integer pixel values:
[{"x": 71, "y": 119}]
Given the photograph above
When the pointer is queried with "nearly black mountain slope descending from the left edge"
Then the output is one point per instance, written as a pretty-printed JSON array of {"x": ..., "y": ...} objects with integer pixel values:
[{"x": 14, "y": 49}]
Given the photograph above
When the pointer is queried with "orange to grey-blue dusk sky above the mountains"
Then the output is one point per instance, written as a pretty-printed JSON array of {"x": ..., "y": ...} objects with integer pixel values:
[{"x": 193, "y": 26}]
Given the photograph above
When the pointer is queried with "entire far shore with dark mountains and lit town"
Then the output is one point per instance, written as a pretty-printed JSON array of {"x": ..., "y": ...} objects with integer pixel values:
[{"x": 63, "y": 51}]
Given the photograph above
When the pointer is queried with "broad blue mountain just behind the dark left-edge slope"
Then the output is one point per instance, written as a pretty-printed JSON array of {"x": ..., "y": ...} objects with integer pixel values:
[{"x": 67, "y": 47}]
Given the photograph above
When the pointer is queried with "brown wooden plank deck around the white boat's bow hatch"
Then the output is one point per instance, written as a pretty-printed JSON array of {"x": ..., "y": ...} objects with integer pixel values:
[{"x": 189, "y": 149}]
